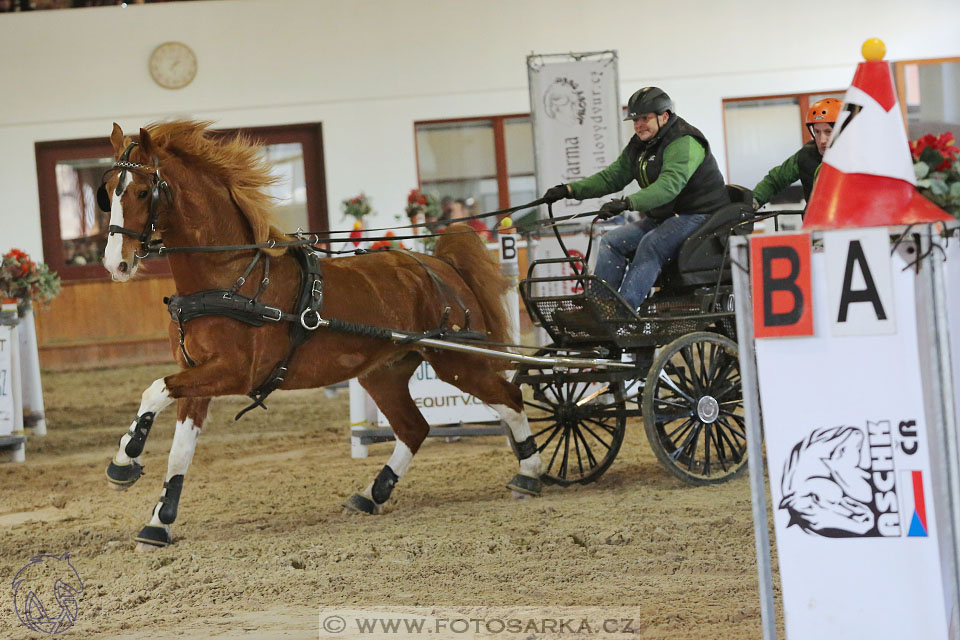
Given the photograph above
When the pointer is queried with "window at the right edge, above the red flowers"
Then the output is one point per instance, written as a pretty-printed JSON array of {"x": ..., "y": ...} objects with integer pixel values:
[{"x": 929, "y": 92}]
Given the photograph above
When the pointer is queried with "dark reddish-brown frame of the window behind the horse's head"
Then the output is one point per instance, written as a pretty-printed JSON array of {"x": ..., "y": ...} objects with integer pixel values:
[{"x": 48, "y": 153}]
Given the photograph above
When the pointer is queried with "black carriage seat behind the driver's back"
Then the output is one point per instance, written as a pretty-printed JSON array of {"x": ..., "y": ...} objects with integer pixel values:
[{"x": 702, "y": 254}]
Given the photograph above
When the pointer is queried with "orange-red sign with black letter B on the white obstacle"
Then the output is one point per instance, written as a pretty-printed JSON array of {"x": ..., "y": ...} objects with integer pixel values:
[{"x": 780, "y": 283}]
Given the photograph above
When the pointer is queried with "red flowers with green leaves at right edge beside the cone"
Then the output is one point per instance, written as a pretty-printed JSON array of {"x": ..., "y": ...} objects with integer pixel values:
[{"x": 936, "y": 168}]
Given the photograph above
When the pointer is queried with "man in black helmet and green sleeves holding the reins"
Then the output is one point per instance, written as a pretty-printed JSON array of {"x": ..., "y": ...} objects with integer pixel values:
[{"x": 681, "y": 186}]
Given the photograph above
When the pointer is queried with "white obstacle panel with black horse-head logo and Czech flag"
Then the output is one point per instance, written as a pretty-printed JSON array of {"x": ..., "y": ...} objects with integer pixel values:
[{"x": 850, "y": 472}]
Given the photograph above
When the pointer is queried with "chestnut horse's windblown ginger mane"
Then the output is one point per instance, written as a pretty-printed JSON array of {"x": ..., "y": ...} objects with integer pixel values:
[{"x": 234, "y": 160}]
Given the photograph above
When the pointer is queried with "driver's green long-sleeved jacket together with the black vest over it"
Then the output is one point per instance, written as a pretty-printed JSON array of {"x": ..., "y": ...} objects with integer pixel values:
[{"x": 684, "y": 180}]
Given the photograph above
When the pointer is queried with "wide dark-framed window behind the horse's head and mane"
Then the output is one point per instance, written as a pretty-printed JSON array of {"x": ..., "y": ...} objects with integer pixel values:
[{"x": 75, "y": 230}]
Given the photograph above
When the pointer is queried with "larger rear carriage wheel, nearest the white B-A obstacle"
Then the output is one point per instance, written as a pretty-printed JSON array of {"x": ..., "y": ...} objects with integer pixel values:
[{"x": 693, "y": 409}]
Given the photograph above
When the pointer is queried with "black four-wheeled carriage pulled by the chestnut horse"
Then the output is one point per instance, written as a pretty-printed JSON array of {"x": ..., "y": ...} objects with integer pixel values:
[{"x": 684, "y": 380}]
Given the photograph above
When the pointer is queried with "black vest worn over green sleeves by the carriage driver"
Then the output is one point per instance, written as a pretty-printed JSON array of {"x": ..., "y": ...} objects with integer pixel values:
[{"x": 704, "y": 192}]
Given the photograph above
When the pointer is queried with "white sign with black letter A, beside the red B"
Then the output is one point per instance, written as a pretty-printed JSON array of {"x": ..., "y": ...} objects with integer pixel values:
[{"x": 859, "y": 282}]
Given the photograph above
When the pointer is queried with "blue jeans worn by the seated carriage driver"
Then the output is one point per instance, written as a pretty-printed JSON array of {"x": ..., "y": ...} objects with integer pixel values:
[{"x": 646, "y": 245}]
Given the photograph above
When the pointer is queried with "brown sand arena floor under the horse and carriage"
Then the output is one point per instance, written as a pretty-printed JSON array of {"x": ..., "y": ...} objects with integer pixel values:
[{"x": 261, "y": 540}]
